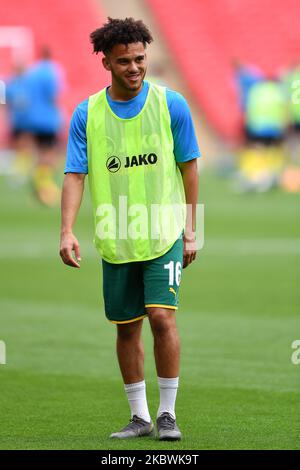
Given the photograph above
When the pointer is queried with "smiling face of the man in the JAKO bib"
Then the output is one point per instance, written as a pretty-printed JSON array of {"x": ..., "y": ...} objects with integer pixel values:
[{"x": 127, "y": 64}]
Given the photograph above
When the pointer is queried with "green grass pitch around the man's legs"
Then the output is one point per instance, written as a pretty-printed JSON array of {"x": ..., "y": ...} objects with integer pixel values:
[{"x": 239, "y": 313}]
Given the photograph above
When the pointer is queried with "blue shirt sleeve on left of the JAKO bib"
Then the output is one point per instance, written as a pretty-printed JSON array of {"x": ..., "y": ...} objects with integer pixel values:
[{"x": 76, "y": 161}]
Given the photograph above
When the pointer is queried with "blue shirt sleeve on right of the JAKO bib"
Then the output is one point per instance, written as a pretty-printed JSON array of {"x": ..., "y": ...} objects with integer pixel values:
[{"x": 185, "y": 141}]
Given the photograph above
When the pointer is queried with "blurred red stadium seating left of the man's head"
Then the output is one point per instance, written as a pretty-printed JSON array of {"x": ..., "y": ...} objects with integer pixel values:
[{"x": 63, "y": 26}]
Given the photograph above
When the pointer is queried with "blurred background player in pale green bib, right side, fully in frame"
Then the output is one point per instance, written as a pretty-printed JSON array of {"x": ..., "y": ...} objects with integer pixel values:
[{"x": 266, "y": 122}]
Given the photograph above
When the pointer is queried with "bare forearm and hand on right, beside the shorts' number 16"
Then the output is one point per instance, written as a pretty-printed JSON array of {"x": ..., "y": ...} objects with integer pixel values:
[{"x": 190, "y": 179}]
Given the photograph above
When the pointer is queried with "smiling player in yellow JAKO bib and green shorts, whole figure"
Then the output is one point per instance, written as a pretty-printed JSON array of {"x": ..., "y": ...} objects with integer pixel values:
[{"x": 136, "y": 141}]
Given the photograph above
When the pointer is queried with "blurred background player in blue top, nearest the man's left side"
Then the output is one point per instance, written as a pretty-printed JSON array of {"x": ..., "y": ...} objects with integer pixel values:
[{"x": 45, "y": 118}]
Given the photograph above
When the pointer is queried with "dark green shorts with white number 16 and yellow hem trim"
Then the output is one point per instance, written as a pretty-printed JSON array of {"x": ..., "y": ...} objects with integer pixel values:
[{"x": 131, "y": 287}]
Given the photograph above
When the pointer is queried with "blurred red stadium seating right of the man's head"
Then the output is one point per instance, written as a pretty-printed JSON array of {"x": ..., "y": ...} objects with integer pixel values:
[{"x": 205, "y": 37}]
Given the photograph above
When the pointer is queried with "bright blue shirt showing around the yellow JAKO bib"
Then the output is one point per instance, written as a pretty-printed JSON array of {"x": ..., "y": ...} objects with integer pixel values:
[{"x": 185, "y": 141}]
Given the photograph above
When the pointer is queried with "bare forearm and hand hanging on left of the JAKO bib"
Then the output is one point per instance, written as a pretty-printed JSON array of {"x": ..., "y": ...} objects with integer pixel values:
[{"x": 70, "y": 203}]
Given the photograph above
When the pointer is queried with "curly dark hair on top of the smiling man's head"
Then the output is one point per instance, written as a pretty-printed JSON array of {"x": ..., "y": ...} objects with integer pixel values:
[{"x": 117, "y": 31}]
